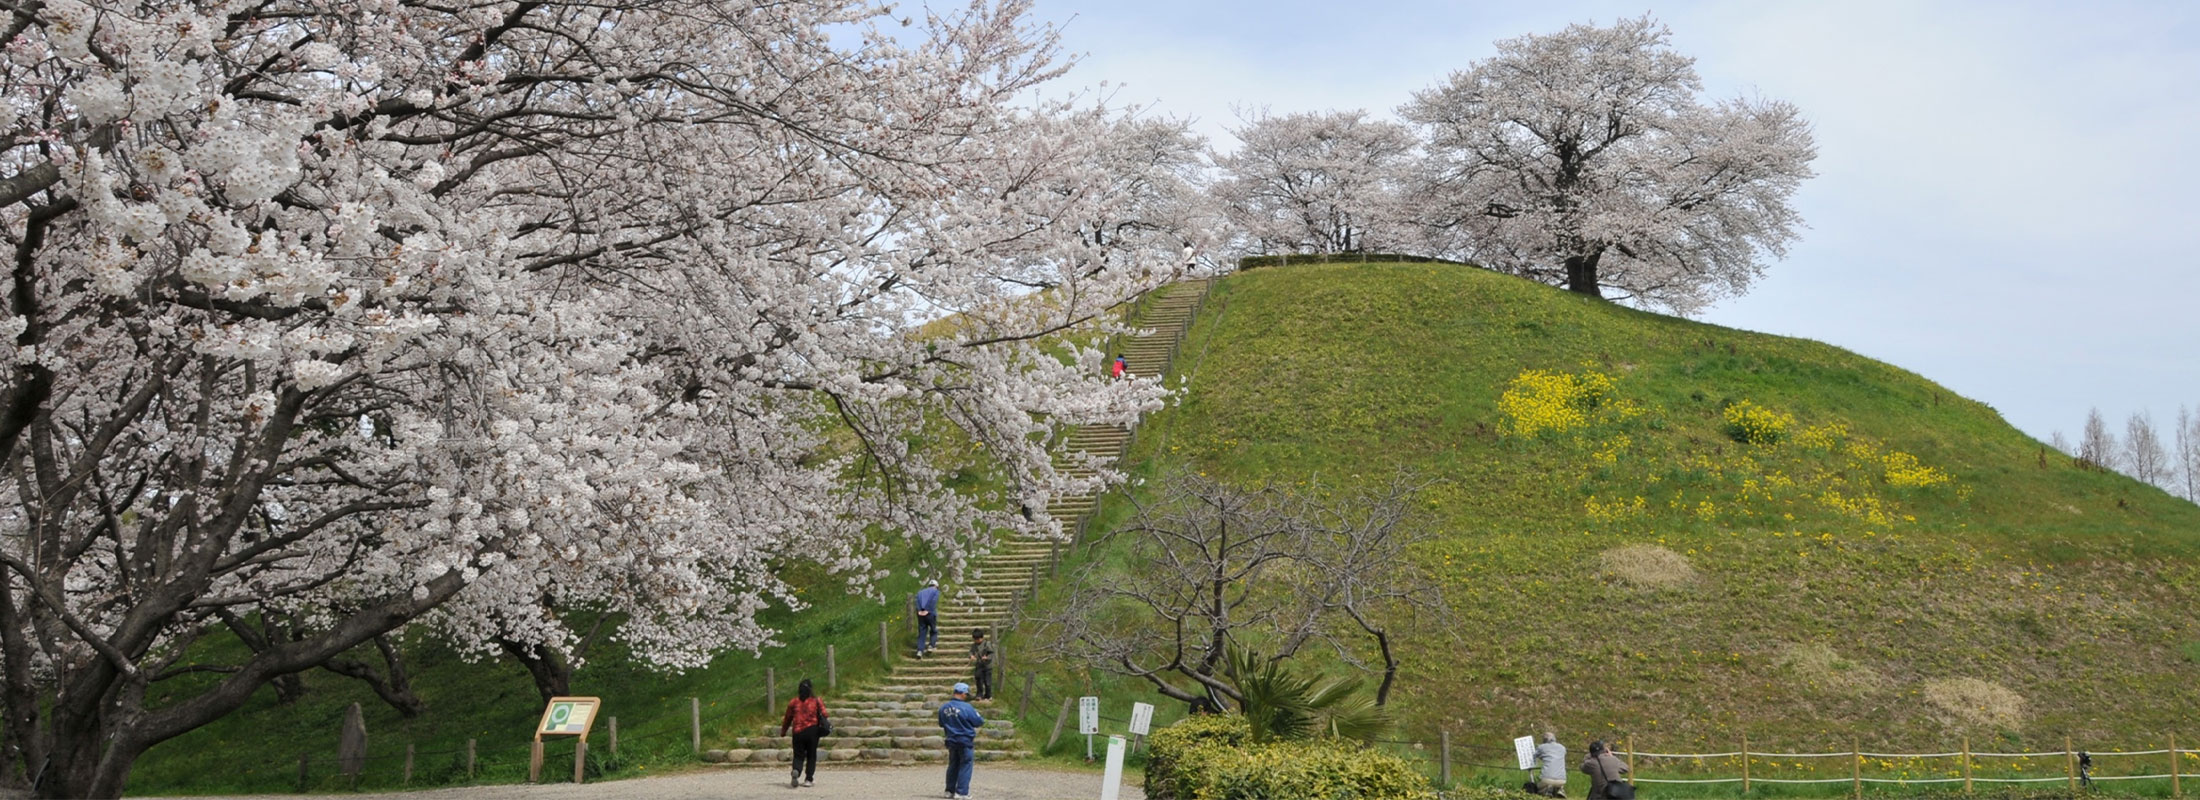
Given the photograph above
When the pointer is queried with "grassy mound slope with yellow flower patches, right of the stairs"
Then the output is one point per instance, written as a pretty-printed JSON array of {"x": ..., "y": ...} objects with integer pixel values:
[{"x": 1682, "y": 533}]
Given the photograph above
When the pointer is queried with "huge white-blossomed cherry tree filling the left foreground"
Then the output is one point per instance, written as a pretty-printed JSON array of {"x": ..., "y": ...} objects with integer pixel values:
[{"x": 384, "y": 313}]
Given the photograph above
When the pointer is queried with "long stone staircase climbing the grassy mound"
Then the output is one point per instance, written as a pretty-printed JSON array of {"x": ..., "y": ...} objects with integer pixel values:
[{"x": 894, "y": 722}]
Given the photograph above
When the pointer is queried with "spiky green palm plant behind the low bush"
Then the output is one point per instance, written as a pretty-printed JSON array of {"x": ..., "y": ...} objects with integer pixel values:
[{"x": 1288, "y": 704}]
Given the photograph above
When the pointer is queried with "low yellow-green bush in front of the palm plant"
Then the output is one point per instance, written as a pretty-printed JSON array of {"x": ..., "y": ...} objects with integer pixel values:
[{"x": 1215, "y": 759}]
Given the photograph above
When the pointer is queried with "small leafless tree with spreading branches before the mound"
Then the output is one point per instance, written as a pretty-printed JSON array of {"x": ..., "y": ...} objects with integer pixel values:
[{"x": 1277, "y": 568}]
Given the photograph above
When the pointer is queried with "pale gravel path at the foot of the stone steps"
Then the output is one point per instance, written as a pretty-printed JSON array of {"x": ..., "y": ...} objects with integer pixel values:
[{"x": 835, "y": 784}]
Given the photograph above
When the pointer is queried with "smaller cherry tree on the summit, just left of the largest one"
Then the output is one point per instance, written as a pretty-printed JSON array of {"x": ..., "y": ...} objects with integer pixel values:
[{"x": 1317, "y": 184}]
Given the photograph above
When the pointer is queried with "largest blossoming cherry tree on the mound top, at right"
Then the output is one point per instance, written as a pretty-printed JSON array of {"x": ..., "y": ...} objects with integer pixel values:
[{"x": 1587, "y": 159}]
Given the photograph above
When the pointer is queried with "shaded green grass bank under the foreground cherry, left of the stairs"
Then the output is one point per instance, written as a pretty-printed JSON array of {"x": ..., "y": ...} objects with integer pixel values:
[{"x": 494, "y": 702}]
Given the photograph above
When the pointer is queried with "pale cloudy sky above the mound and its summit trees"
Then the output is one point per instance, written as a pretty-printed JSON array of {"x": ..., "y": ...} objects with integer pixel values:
[{"x": 2007, "y": 192}]
